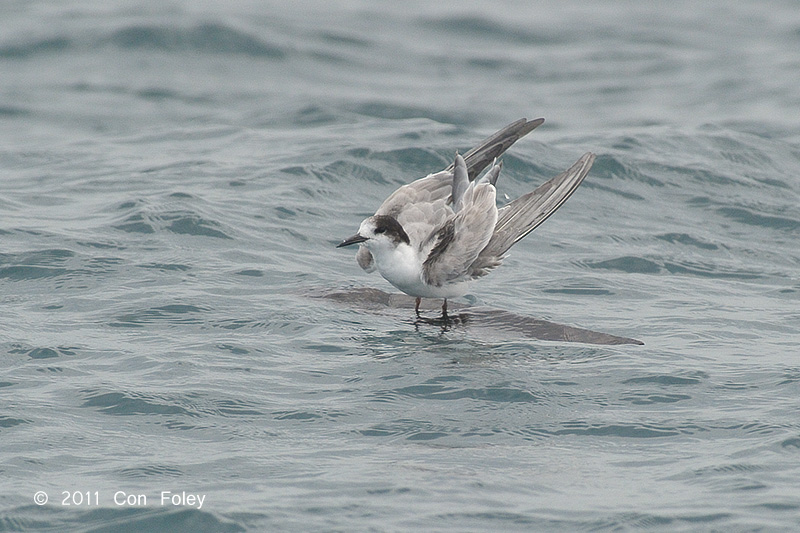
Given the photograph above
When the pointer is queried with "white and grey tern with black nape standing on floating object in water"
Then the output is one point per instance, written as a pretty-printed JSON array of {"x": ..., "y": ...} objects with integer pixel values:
[{"x": 433, "y": 237}]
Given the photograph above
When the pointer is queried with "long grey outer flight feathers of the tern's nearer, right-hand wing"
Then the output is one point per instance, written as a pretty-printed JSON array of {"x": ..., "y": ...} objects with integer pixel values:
[{"x": 518, "y": 218}]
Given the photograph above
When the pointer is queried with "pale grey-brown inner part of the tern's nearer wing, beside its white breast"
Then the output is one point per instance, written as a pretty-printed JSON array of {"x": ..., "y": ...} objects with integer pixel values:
[{"x": 455, "y": 245}]
